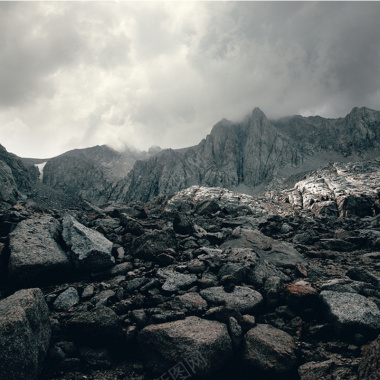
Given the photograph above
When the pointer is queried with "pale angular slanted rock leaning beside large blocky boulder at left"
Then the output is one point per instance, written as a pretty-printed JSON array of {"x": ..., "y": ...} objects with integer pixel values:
[{"x": 90, "y": 250}]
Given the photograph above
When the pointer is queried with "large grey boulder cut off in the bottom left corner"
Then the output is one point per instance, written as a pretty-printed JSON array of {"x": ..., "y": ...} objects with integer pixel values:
[{"x": 24, "y": 335}]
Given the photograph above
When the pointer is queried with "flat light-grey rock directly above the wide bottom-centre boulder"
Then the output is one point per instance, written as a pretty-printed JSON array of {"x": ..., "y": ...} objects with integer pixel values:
[{"x": 242, "y": 299}]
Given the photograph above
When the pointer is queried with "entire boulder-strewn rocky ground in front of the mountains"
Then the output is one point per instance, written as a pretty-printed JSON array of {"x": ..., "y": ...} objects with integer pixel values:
[{"x": 204, "y": 284}]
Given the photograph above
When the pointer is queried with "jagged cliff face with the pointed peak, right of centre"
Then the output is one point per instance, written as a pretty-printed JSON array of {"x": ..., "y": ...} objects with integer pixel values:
[{"x": 257, "y": 151}]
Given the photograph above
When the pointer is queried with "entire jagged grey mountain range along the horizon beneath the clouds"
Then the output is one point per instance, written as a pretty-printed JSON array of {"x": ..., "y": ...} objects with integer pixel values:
[{"x": 247, "y": 156}]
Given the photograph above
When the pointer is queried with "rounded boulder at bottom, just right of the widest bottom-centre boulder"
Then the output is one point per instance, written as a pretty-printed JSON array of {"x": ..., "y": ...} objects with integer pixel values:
[{"x": 269, "y": 350}]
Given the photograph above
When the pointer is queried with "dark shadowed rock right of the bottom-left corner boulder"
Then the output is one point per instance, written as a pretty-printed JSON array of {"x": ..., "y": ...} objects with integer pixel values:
[{"x": 99, "y": 325}]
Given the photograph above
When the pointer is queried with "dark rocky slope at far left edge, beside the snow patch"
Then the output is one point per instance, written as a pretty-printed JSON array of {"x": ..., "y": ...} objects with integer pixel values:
[{"x": 15, "y": 178}]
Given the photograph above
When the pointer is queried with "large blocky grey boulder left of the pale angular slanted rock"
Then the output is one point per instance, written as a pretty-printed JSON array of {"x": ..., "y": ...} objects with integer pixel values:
[{"x": 35, "y": 254}]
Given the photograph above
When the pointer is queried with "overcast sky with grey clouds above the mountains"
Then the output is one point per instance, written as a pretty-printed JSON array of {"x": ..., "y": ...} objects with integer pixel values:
[{"x": 141, "y": 74}]
